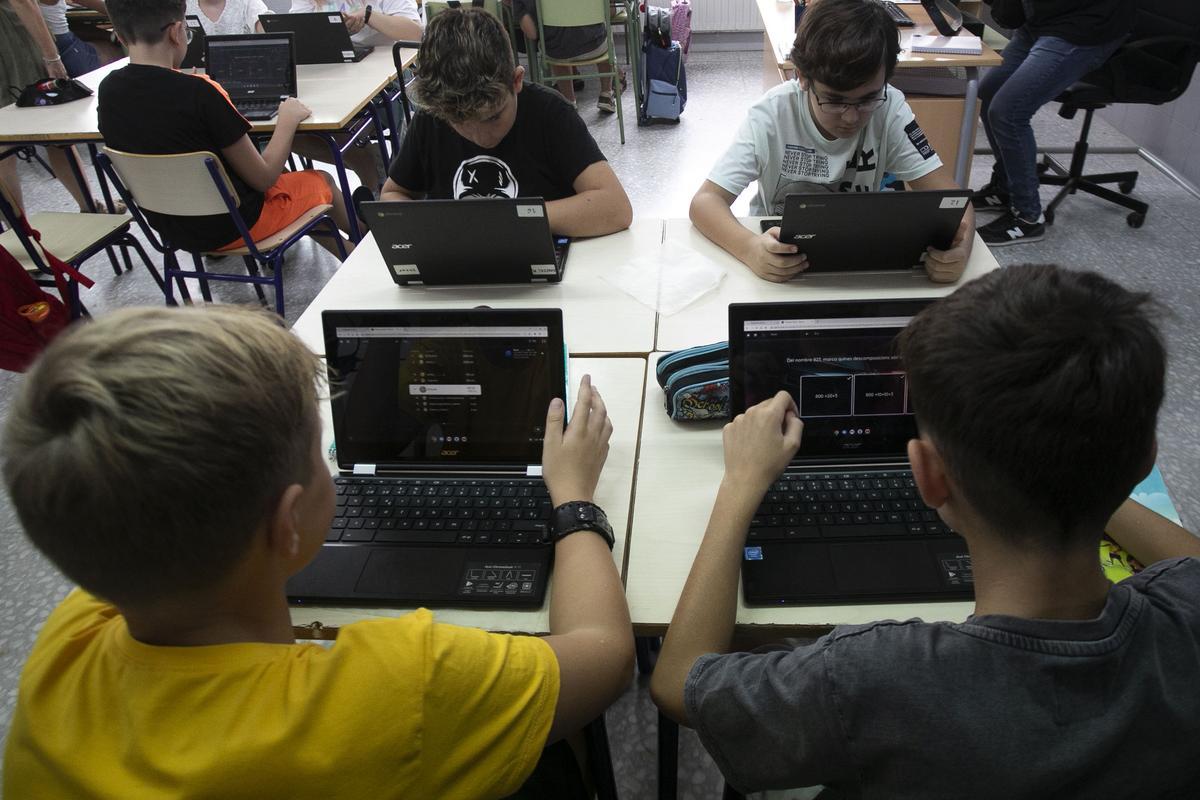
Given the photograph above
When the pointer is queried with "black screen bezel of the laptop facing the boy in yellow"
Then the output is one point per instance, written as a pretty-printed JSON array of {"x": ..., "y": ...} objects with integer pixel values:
[{"x": 350, "y": 455}]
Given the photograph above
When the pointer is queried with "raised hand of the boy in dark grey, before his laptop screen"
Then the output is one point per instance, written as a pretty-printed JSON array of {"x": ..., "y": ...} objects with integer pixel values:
[{"x": 760, "y": 444}]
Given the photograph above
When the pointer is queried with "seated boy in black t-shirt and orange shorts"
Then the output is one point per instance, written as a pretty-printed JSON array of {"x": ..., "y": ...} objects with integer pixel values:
[{"x": 152, "y": 109}]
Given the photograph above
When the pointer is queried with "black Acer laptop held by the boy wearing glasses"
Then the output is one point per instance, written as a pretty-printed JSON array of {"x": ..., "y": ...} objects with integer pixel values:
[{"x": 847, "y": 232}]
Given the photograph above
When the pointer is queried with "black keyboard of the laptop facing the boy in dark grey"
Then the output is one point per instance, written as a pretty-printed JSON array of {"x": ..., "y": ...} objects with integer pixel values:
[{"x": 841, "y": 506}]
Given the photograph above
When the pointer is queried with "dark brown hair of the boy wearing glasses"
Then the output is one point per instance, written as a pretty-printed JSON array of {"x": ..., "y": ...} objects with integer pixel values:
[{"x": 843, "y": 44}]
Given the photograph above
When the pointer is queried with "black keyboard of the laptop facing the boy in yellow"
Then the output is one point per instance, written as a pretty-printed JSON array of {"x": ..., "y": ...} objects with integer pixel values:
[{"x": 509, "y": 513}]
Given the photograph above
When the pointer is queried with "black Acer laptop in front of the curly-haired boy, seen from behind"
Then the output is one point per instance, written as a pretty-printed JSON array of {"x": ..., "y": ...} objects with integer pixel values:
[{"x": 478, "y": 240}]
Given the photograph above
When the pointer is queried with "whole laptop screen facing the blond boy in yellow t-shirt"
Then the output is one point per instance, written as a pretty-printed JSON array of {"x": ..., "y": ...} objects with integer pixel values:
[{"x": 443, "y": 388}]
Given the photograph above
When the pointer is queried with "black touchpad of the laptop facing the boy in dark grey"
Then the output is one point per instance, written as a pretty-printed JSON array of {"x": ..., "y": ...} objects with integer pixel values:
[{"x": 878, "y": 568}]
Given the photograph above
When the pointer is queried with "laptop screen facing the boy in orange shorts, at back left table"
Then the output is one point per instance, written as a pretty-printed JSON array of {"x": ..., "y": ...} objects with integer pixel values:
[{"x": 251, "y": 67}]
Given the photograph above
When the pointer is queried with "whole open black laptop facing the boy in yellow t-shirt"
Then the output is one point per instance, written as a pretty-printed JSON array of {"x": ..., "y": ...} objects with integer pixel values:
[{"x": 439, "y": 423}]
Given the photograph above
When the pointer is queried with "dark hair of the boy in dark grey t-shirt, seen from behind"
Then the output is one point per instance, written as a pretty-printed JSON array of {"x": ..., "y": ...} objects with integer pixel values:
[{"x": 1041, "y": 388}]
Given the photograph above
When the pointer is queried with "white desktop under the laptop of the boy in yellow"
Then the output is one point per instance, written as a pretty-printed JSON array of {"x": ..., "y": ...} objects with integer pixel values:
[{"x": 621, "y": 381}]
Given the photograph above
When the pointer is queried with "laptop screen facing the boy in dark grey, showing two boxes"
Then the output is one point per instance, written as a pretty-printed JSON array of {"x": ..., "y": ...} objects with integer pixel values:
[{"x": 838, "y": 363}]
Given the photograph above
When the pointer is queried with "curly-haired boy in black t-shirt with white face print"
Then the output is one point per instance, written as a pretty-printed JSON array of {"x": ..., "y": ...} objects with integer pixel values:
[{"x": 483, "y": 133}]
